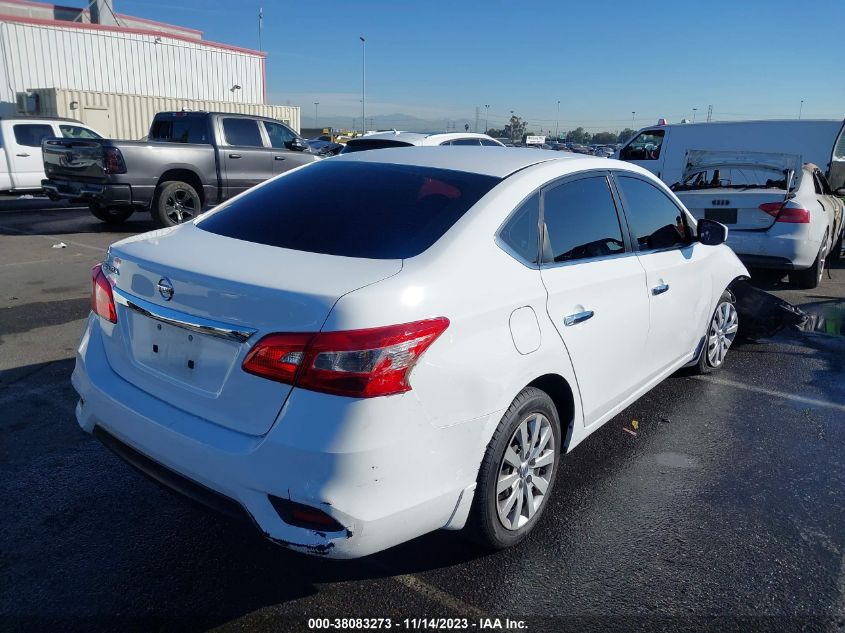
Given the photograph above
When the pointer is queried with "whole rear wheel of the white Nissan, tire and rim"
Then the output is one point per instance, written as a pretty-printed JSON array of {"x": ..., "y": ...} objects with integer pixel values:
[{"x": 518, "y": 471}]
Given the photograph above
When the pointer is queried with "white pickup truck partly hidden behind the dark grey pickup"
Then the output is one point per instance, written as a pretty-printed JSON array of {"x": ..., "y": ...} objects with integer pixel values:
[{"x": 21, "y": 163}]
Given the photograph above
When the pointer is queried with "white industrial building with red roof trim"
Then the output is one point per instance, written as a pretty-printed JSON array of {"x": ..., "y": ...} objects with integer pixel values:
[{"x": 114, "y": 71}]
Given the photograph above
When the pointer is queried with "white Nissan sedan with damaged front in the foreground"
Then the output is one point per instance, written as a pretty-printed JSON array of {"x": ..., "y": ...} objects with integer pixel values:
[{"x": 388, "y": 343}]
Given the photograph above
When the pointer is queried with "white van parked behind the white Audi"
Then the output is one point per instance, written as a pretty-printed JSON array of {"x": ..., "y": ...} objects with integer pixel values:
[{"x": 662, "y": 148}]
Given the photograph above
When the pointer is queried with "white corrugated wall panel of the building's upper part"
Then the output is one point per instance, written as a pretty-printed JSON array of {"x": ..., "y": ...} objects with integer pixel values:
[{"x": 49, "y": 56}]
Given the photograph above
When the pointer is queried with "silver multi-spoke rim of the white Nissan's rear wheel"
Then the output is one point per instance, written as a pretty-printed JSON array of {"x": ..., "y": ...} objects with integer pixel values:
[{"x": 525, "y": 471}]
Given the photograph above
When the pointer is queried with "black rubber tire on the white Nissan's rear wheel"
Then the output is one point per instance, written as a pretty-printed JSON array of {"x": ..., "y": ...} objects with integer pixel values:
[{"x": 484, "y": 525}]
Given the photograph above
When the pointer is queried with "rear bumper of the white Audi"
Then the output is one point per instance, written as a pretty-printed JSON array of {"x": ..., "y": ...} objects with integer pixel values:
[{"x": 787, "y": 250}]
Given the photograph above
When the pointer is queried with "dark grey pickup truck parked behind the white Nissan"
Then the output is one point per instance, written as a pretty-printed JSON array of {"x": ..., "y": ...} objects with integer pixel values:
[{"x": 191, "y": 162}]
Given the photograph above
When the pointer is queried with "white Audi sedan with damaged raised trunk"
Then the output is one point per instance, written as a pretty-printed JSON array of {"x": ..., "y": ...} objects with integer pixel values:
[{"x": 781, "y": 214}]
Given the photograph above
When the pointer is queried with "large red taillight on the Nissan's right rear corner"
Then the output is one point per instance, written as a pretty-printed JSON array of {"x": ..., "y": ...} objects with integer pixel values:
[{"x": 356, "y": 363}]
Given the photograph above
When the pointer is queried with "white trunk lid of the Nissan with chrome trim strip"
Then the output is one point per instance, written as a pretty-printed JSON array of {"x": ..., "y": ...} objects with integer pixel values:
[{"x": 224, "y": 295}]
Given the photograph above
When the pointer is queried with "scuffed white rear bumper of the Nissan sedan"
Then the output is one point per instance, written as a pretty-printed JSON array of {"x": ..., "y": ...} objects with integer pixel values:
[{"x": 369, "y": 471}]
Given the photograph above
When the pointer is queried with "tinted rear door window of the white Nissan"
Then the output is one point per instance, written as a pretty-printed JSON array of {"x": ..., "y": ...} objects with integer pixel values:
[{"x": 580, "y": 221}]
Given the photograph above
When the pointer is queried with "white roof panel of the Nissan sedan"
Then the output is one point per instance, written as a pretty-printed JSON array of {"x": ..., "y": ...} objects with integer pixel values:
[{"x": 485, "y": 161}]
